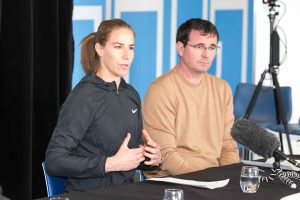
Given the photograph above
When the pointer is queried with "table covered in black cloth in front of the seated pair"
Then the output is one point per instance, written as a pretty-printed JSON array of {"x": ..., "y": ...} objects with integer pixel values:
[{"x": 150, "y": 190}]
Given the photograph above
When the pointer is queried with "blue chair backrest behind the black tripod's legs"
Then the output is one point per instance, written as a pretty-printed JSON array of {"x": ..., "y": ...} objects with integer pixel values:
[{"x": 264, "y": 110}]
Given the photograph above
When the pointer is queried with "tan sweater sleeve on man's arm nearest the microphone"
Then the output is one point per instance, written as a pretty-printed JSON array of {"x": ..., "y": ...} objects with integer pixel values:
[{"x": 230, "y": 153}]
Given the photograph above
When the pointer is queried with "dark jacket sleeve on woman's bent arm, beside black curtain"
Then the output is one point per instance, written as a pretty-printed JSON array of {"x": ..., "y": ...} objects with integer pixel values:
[{"x": 74, "y": 119}]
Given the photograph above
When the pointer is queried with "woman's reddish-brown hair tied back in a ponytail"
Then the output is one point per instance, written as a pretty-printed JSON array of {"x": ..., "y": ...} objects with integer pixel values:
[{"x": 89, "y": 57}]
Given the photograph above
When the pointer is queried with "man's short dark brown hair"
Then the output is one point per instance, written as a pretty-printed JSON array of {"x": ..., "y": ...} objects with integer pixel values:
[{"x": 184, "y": 30}]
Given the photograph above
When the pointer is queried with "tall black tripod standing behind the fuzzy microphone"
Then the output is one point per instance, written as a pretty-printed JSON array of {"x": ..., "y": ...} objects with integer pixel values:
[{"x": 272, "y": 70}]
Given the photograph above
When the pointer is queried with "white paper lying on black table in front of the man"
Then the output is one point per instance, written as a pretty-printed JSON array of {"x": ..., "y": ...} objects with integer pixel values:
[{"x": 202, "y": 184}]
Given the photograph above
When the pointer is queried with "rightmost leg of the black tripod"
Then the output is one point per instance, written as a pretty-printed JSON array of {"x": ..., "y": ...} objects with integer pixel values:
[{"x": 280, "y": 109}]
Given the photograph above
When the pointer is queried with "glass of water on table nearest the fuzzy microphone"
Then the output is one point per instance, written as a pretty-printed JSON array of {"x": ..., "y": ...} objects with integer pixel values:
[{"x": 249, "y": 180}]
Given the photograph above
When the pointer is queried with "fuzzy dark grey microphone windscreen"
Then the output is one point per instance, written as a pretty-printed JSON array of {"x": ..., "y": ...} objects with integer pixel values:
[{"x": 254, "y": 137}]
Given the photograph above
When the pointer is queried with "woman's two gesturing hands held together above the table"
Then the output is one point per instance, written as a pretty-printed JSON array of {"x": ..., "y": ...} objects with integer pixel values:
[{"x": 127, "y": 159}]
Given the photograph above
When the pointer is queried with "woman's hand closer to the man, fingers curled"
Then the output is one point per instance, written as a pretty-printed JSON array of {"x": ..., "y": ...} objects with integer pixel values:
[{"x": 152, "y": 150}]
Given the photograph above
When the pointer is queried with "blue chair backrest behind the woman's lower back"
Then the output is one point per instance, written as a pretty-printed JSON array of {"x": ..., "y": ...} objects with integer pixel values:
[{"x": 55, "y": 185}]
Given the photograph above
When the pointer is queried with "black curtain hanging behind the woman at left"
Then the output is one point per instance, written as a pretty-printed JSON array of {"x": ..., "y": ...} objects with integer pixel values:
[{"x": 36, "y": 60}]
